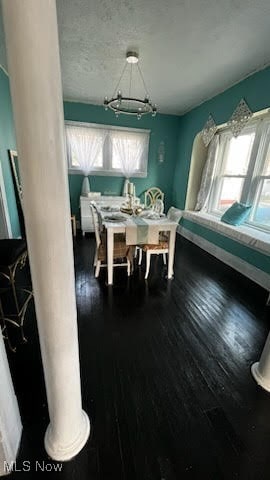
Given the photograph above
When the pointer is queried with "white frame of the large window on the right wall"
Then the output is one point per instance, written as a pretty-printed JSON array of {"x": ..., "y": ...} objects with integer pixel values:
[{"x": 253, "y": 179}]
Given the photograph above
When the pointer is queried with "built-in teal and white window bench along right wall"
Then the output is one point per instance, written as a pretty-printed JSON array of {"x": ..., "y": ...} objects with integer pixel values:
[{"x": 244, "y": 248}]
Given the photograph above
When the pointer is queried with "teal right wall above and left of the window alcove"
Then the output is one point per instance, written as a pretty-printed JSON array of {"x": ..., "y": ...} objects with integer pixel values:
[{"x": 255, "y": 89}]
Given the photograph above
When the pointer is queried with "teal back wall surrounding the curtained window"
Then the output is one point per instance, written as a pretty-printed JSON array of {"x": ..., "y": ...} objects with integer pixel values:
[{"x": 163, "y": 128}]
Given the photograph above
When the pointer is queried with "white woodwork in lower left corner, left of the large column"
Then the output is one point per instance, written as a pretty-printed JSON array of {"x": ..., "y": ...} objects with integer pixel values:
[{"x": 10, "y": 420}]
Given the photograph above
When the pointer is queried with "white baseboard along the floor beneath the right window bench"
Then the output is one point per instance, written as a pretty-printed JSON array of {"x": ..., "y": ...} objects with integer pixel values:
[{"x": 253, "y": 273}]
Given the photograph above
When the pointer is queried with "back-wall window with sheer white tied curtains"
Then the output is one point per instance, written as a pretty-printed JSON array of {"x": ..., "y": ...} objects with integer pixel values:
[{"x": 124, "y": 151}]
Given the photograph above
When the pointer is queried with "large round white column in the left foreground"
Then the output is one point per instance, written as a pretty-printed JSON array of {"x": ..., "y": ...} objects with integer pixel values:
[{"x": 34, "y": 69}]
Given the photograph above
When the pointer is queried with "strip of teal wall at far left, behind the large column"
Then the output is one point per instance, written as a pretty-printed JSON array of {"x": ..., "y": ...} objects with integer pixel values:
[{"x": 7, "y": 142}]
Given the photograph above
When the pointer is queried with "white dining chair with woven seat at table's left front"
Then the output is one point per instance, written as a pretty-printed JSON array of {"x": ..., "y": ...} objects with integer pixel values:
[{"x": 120, "y": 251}]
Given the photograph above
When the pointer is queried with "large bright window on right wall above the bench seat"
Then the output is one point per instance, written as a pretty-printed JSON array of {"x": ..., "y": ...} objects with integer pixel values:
[{"x": 242, "y": 172}]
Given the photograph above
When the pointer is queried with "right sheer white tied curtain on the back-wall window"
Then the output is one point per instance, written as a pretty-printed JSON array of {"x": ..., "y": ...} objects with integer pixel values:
[{"x": 130, "y": 150}]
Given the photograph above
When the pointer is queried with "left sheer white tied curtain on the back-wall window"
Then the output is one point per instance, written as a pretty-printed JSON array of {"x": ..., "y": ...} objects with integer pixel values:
[{"x": 85, "y": 144}]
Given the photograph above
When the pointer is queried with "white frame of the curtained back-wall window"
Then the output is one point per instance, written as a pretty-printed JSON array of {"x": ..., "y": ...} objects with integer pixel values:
[{"x": 106, "y": 169}]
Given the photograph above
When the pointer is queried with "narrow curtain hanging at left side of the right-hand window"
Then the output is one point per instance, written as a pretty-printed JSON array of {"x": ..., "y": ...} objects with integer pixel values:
[{"x": 208, "y": 174}]
